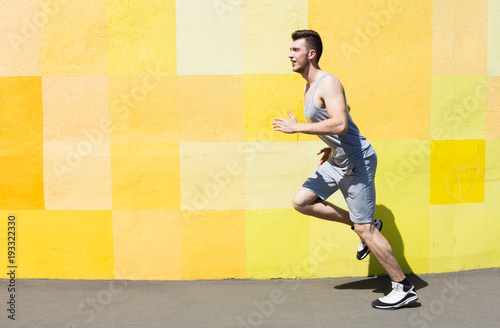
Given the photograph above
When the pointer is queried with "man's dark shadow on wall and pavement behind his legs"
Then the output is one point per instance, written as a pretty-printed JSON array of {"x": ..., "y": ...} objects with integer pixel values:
[{"x": 381, "y": 281}]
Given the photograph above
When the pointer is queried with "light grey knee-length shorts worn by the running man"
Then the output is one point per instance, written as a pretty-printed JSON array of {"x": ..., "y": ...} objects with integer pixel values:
[{"x": 357, "y": 184}]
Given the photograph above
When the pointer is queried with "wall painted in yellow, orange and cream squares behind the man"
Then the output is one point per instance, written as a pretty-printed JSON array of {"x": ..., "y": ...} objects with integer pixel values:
[{"x": 136, "y": 138}]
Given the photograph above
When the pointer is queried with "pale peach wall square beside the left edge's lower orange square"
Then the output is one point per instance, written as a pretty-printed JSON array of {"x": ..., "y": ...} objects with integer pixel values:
[{"x": 77, "y": 175}]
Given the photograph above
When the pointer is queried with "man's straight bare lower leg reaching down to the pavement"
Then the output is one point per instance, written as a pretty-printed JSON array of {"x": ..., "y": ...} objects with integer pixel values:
[{"x": 381, "y": 249}]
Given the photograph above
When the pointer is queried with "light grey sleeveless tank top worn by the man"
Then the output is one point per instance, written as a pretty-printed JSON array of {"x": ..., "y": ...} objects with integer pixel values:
[{"x": 349, "y": 149}]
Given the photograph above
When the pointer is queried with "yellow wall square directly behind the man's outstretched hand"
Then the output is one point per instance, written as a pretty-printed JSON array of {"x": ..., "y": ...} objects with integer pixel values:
[{"x": 266, "y": 97}]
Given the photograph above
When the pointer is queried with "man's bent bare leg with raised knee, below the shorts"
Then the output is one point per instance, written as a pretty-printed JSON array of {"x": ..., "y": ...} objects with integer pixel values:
[{"x": 308, "y": 203}]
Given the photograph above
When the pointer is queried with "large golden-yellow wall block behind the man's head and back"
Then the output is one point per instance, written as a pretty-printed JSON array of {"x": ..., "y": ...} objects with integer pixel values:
[{"x": 383, "y": 61}]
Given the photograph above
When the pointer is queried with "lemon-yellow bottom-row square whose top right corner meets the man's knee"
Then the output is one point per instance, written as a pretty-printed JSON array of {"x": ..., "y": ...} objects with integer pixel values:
[{"x": 277, "y": 244}]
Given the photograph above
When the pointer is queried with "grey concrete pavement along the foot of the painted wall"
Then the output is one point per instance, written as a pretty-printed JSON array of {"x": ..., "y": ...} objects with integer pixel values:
[{"x": 461, "y": 299}]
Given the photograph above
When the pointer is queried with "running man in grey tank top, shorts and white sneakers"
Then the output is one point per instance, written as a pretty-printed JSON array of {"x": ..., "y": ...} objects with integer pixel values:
[{"x": 348, "y": 163}]
